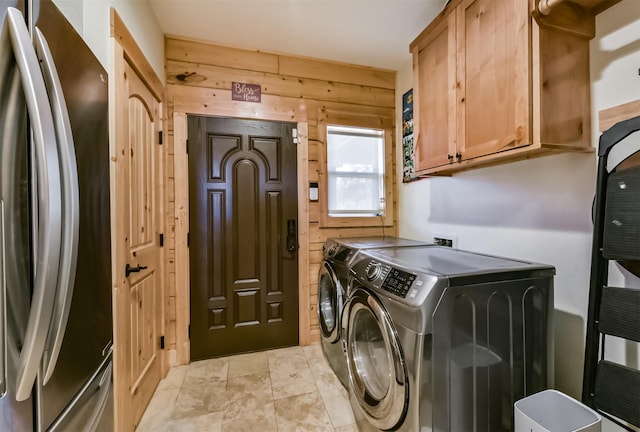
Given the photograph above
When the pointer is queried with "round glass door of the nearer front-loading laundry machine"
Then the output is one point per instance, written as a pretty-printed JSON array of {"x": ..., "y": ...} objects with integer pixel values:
[{"x": 377, "y": 369}]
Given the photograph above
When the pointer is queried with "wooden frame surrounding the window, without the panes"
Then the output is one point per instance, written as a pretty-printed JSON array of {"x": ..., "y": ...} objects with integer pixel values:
[{"x": 362, "y": 120}]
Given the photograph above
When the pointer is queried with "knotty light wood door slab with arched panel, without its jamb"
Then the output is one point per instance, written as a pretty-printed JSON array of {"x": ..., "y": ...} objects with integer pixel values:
[{"x": 144, "y": 249}]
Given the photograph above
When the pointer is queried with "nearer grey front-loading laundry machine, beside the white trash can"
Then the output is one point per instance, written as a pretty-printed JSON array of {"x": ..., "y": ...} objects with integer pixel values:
[{"x": 439, "y": 339}]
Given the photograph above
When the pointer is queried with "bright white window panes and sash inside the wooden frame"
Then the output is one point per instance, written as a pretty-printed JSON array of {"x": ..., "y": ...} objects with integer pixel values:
[{"x": 355, "y": 171}]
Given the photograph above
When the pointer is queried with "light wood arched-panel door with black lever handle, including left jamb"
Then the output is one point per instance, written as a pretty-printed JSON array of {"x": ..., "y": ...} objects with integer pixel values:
[{"x": 139, "y": 255}]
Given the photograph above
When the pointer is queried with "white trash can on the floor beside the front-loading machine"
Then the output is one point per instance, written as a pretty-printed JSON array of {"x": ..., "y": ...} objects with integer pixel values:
[{"x": 553, "y": 411}]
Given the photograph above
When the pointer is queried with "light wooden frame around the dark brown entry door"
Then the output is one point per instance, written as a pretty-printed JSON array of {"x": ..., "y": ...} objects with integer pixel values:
[{"x": 230, "y": 109}]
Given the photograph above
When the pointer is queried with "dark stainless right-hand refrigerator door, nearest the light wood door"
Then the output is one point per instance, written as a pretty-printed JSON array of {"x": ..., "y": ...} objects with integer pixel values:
[{"x": 89, "y": 326}]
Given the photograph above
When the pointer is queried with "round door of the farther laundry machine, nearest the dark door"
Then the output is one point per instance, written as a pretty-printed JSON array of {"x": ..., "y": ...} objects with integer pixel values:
[{"x": 329, "y": 303}]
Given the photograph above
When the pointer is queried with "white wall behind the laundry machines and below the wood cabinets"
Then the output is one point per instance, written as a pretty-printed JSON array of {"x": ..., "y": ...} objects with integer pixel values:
[{"x": 540, "y": 209}]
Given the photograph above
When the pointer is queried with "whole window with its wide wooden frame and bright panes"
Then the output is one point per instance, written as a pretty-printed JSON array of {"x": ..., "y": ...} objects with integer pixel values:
[{"x": 355, "y": 169}]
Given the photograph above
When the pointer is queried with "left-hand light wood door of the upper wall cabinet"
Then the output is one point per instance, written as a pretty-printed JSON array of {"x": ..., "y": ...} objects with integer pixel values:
[{"x": 434, "y": 66}]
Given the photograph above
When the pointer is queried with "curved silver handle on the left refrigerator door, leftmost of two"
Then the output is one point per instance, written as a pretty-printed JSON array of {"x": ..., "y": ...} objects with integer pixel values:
[{"x": 48, "y": 195}]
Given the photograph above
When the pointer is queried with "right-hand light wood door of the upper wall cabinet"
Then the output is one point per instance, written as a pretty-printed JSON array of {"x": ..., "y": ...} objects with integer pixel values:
[{"x": 494, "y": 76}]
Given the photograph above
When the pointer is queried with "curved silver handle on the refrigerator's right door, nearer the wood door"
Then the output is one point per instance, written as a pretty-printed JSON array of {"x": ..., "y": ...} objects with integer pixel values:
[{"x": 70, "y": 206}]
